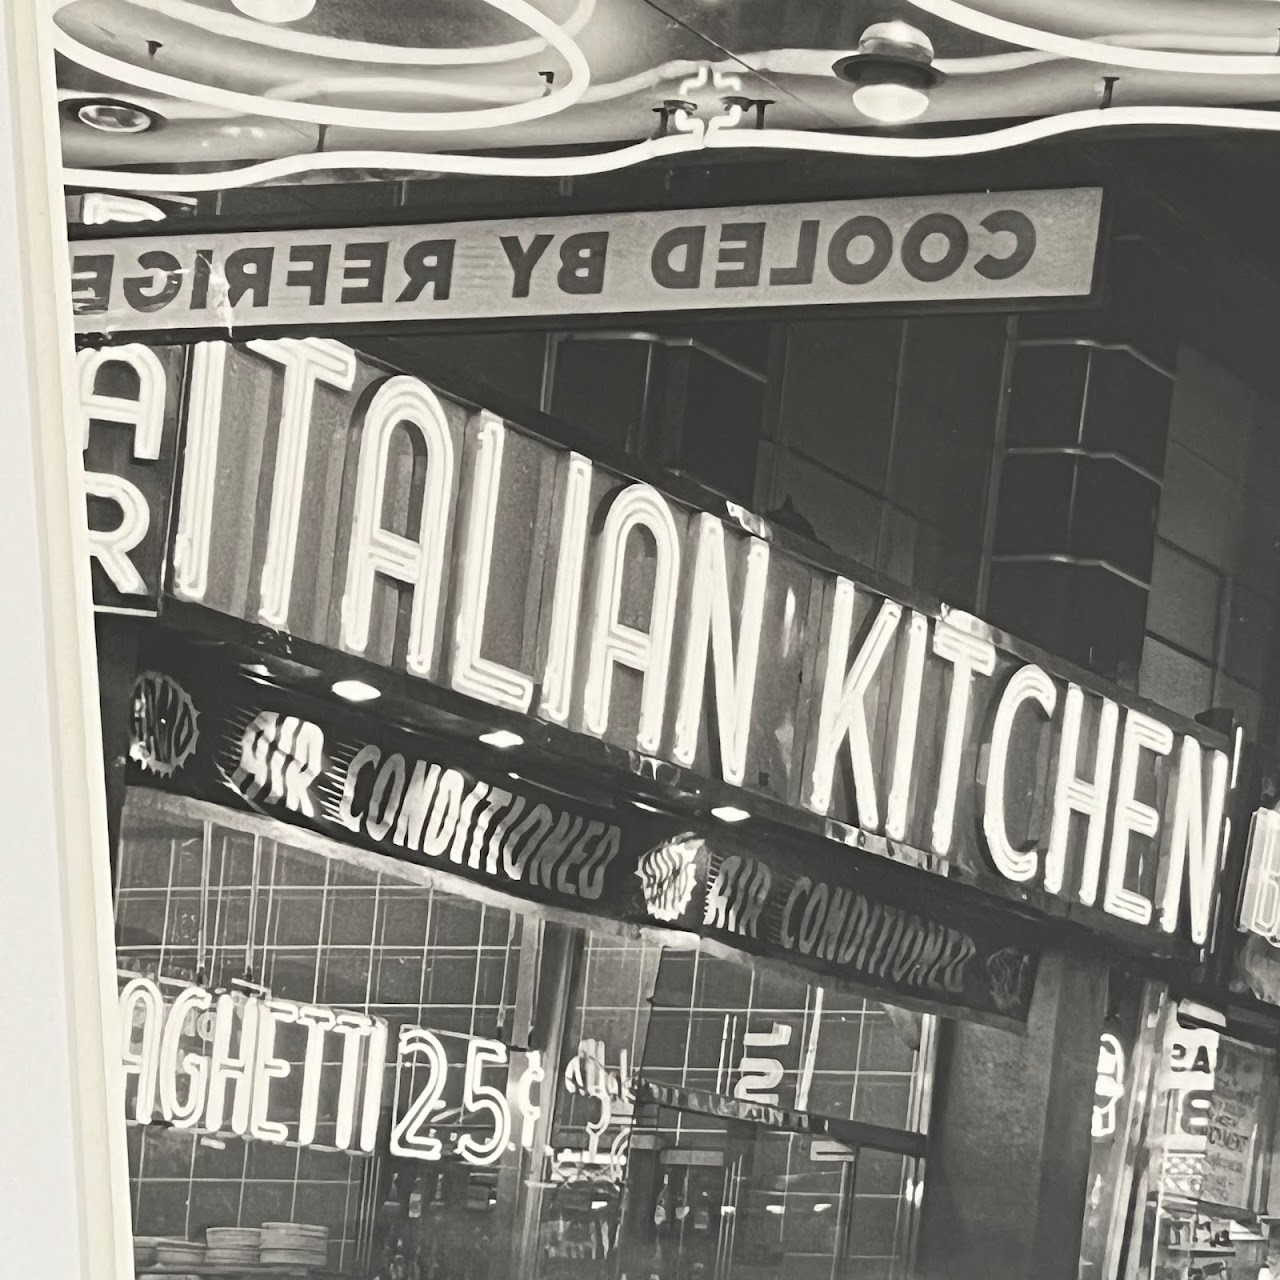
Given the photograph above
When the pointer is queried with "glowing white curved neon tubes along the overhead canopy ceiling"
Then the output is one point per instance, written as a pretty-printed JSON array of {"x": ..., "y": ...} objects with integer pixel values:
[{"x": 689, "y": 134}]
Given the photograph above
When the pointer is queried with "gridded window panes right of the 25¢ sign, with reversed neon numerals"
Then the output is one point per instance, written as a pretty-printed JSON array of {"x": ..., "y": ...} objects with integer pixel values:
[{"x": 803, "y": 1208}]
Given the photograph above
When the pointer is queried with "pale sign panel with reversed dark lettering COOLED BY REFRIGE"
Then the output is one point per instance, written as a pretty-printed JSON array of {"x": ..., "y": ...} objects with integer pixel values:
[{"x": 920, "y": 249}]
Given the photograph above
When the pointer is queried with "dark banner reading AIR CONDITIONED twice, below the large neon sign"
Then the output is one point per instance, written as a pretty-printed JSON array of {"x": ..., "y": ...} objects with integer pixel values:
[{"x": 364, "y": 784}]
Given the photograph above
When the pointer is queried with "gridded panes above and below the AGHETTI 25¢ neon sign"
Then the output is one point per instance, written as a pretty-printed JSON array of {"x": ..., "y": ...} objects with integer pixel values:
[{"x": 202, "y": 902}]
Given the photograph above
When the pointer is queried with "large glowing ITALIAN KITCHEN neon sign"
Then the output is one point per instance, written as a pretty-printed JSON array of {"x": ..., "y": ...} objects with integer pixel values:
[{"x": 372, "y": 514}]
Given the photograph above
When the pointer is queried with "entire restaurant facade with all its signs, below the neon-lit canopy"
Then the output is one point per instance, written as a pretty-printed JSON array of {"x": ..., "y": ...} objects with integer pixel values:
[{"x": 694, "y": 788}]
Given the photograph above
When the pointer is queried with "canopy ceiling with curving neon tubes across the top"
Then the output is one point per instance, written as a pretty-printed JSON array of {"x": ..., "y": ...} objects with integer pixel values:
[{"x": 317, "y": 86}]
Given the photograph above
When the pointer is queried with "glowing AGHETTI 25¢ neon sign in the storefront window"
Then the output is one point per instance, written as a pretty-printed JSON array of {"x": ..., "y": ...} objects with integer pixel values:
[{"x": 248, "y": 1064}]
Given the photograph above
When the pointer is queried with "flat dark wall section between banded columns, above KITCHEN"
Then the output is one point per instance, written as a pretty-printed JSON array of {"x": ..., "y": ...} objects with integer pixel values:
[{"x": 883, "y": 444}]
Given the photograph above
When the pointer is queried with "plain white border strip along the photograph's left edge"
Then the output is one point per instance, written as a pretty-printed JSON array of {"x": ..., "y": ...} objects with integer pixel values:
[{"x": 65, "y": 1174}]
